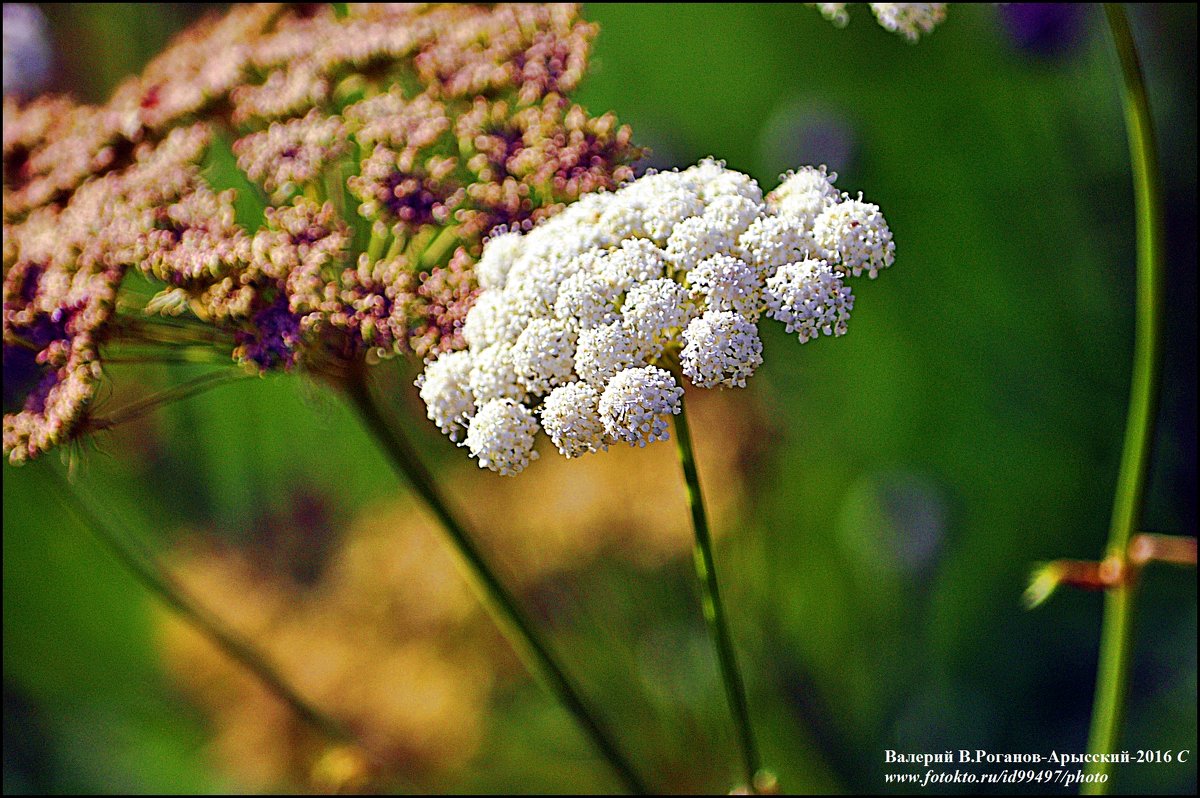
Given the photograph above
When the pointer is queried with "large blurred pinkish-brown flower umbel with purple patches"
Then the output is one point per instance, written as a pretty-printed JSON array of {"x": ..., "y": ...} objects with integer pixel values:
[{"x": 371, "y": 154}]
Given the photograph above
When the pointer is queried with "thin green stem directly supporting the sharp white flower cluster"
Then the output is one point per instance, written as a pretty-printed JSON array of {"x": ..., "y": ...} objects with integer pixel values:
[{"x": 711, "y": 599}]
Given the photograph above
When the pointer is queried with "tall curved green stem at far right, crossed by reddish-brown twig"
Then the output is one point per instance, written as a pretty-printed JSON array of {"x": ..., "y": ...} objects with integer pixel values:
[{"x": 1117, "y": 638}]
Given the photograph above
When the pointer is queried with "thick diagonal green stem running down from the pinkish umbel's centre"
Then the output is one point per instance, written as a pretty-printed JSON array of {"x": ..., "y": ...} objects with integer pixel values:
[{"x": 518, "y": 628}]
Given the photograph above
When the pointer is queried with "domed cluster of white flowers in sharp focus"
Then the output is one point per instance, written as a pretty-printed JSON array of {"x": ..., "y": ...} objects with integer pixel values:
[{"x": 587, "y": 321}]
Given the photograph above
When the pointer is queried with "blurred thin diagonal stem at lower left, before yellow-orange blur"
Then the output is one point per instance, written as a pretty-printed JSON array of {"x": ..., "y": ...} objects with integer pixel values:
[{"x": 141, "y": 562}]
